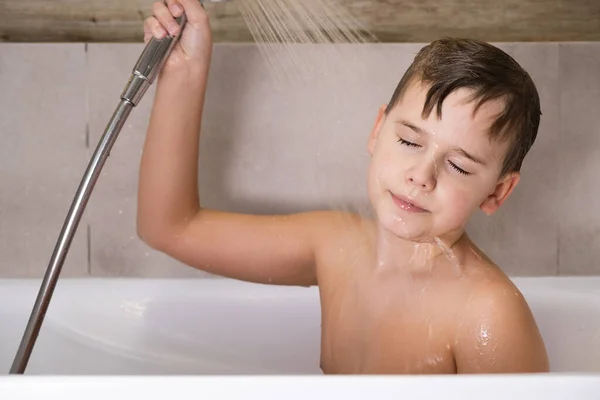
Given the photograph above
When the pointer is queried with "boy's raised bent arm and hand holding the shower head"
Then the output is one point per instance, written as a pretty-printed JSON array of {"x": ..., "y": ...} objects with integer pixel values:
[{"x": 266, "y": 249}]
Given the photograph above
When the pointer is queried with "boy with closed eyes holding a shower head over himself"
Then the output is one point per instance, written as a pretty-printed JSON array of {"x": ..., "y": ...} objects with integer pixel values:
[{"x": 407, "y": 292}]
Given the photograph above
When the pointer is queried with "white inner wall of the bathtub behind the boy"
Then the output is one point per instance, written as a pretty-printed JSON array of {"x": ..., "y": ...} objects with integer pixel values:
[{"x": 221, "y": 326}]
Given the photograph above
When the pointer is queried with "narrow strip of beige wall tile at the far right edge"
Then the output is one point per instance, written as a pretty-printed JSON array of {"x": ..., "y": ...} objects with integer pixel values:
[{"x": 579, "y": 180}]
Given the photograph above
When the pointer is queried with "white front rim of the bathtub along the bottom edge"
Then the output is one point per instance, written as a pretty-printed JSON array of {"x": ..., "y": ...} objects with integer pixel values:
[{"x": 464, "y": 387}]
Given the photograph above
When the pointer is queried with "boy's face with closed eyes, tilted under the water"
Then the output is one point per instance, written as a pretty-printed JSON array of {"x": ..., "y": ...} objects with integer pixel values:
[{"x": 427, "y": 177}]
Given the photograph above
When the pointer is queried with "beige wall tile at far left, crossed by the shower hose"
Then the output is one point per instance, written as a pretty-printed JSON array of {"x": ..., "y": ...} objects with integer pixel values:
[{"x": 42, "y": 155}]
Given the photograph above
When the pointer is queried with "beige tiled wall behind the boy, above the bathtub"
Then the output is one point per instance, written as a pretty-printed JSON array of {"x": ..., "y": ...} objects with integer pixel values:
[{"x": 272, "y": 146}]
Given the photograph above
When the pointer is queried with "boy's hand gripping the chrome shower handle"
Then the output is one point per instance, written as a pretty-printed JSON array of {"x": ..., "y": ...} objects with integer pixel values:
[{"x": 194, "y": 47}]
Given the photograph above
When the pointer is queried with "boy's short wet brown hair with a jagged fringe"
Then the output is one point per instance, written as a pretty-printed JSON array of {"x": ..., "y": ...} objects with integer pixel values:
[{"x": 449, "y": 64}]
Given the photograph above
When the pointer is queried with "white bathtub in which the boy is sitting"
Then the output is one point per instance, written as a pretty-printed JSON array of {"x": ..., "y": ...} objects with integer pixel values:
[{"x": 101, "y": 326}]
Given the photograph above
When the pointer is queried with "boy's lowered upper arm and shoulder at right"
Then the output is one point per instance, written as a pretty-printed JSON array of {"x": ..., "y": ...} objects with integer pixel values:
[{"x": 497, "y": 332}]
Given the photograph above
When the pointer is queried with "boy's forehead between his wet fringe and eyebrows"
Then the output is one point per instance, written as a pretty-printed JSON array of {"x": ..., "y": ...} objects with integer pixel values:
[{"x": 459, "y": 123}]
